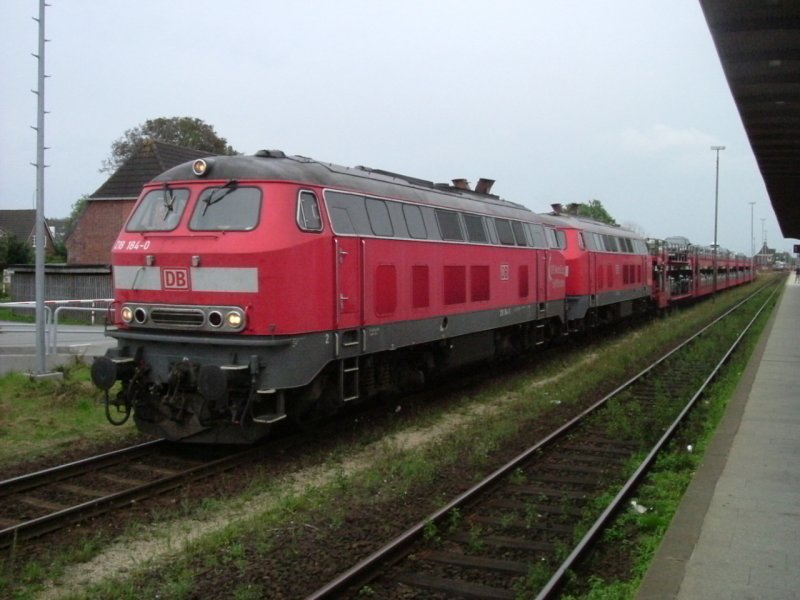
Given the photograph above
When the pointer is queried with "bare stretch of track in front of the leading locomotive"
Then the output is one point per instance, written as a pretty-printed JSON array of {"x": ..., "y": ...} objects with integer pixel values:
[{"x": 38, "y": 503}]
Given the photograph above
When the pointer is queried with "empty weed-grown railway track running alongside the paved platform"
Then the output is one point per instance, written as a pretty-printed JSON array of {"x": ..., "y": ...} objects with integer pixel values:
[{"x": 520, "y": 531}]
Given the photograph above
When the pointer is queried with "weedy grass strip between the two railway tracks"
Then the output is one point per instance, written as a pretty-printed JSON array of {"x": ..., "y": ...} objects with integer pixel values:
[{"x": 296, "y": 513}]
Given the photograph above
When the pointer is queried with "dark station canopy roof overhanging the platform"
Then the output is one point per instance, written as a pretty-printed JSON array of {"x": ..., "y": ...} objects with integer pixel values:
[{"x": 758, "y": 42}]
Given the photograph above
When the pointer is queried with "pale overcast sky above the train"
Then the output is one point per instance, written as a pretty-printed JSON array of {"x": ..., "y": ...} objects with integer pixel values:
[{"x": 563, "y": 101}]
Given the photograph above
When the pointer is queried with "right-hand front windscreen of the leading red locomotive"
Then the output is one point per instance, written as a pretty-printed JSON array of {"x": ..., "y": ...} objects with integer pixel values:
[{"x": 227, "y": 208}]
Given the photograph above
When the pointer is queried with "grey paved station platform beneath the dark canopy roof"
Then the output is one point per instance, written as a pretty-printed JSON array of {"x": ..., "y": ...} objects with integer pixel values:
[{"x": 736, "y": 534}]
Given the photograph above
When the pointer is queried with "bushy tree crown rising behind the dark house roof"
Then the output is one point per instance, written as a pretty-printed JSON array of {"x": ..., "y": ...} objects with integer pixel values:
[{"x": 188, "y": 132}]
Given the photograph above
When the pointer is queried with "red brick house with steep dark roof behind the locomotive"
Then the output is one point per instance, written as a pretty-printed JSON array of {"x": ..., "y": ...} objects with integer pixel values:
[{"x": 108, "y": 208}]
